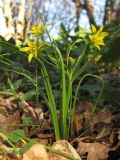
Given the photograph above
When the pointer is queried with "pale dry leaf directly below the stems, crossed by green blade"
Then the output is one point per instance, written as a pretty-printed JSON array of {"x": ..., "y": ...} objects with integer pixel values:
[{"x": 66, "y": 147}]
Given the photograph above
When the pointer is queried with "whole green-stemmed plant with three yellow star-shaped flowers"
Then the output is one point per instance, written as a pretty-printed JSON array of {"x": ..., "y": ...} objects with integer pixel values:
[{"x": 68, "y": 75}]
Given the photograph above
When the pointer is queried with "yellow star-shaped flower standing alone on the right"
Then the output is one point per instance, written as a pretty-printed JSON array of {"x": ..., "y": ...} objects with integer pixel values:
[{"x": 98, "y": 36}]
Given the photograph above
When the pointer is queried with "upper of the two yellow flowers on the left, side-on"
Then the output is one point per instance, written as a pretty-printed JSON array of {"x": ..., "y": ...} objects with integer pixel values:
[{"x": 37, "y": 30}]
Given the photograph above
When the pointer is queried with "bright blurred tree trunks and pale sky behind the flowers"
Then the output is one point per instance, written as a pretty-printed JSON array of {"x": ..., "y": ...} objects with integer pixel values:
[{"x": 16, "y": 16}]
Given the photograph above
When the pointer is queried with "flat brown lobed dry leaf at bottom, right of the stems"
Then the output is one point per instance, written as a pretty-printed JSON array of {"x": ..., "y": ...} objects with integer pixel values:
[{"x": 96, "y": 151}]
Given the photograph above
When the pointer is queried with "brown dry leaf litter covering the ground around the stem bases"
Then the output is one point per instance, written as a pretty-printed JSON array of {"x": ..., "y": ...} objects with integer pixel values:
[{"x": 97, "y": 139}]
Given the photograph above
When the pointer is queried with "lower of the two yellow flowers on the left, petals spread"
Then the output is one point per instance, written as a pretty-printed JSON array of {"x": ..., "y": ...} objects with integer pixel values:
[{"x": 32, "y": 48}]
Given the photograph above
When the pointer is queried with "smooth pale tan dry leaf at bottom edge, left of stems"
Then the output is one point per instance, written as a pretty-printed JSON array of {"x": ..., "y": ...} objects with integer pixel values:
[{"x": 36, "y": 152}]
